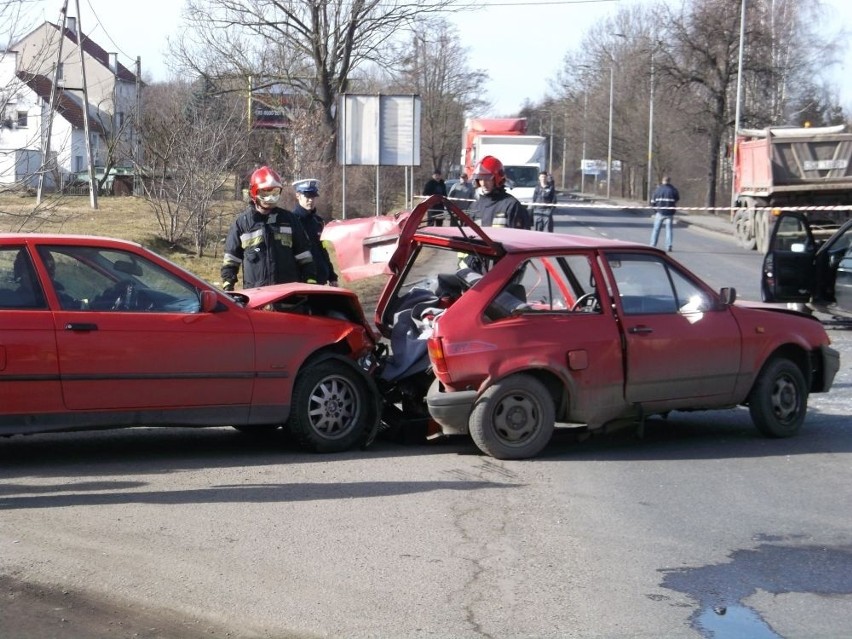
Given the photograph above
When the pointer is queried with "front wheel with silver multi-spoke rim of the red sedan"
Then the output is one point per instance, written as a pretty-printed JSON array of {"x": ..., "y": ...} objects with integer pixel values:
[{"x": 332, "y": 408}]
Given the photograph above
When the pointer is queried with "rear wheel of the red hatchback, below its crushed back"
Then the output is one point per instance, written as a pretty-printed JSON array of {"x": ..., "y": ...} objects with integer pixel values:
[{"x": 513, "y": 419}]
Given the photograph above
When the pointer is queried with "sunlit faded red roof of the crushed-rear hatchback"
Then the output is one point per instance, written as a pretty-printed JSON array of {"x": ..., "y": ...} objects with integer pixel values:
[{"x": 523, "y": 241}]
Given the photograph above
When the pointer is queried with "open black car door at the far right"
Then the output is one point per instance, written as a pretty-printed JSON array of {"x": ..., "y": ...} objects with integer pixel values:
[{"x": 789, "y": 269}]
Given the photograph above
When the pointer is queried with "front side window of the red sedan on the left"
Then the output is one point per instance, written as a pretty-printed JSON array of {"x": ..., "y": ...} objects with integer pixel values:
[{"x": 88, "y": 278}]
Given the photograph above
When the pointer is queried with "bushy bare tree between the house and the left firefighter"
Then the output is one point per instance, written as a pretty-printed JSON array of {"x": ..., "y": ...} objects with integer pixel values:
[{"x": 192, "y": 144}]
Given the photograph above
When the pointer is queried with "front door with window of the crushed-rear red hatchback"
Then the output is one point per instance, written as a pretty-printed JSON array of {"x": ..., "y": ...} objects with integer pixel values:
[{"x": 680, "y": 341}]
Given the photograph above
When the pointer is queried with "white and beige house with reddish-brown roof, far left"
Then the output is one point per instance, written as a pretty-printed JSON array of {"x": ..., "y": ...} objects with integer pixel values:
[{"x": 28, "y": 70}]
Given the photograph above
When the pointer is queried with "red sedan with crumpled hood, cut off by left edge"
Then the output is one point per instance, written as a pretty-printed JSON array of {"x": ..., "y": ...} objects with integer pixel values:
[{"x": 102, "y": 333}]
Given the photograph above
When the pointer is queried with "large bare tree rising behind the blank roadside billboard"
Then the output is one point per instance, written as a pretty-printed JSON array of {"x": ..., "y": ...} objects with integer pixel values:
[{"x": 310, "y": 46}]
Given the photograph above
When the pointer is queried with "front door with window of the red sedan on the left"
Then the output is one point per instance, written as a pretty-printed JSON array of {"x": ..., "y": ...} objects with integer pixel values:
[{"x": 159, "y": 352}]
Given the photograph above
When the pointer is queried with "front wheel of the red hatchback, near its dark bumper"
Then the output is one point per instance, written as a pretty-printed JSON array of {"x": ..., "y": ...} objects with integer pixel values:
[{"x": 779, "y": 400}]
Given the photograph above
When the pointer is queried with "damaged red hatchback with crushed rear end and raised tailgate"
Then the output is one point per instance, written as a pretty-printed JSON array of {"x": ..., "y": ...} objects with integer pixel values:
[{"x": 505, "y": 334}]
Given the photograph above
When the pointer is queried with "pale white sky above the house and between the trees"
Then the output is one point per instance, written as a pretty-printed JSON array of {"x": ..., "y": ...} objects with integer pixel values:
[{"x": 520, "y": 42}]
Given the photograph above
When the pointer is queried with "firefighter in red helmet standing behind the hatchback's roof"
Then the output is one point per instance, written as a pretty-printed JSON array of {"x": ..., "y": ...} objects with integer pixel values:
[{"x": 494, "y": 206}]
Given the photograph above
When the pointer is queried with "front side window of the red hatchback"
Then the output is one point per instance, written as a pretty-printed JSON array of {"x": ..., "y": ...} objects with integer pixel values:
[{"x": 650, "y": 285}]
